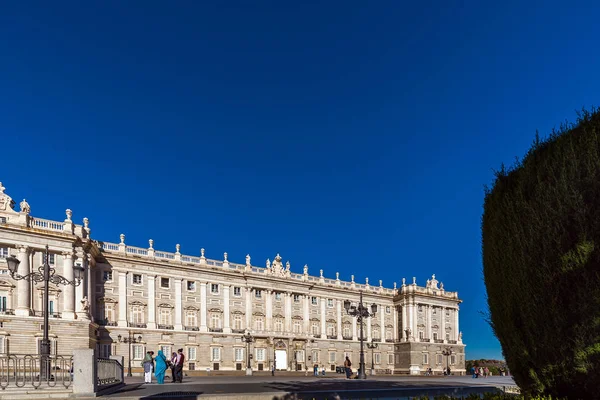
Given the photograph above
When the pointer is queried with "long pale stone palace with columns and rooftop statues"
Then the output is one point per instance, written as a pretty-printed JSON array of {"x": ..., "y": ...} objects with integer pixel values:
[{"x": 168, "y": 300}]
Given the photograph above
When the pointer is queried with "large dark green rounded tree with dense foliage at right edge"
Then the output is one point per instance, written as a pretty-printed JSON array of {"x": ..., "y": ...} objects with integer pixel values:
[{"x": 541, "y": 261}]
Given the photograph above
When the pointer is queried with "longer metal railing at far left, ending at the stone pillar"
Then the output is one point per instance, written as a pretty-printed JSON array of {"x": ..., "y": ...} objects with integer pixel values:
[{"x": 26, "y": 370}]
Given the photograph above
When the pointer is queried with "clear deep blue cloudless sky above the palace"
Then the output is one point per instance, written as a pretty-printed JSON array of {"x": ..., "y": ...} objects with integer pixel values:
[{"x": 349, "y": 136}]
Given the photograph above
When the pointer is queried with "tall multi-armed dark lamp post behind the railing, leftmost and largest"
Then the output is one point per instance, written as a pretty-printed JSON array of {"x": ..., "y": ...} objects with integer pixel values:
[{"x": 45, "y": 274}]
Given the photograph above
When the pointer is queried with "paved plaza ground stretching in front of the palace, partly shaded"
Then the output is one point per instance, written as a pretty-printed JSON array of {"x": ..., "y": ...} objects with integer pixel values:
[{"x": 268, "y": 387}]
